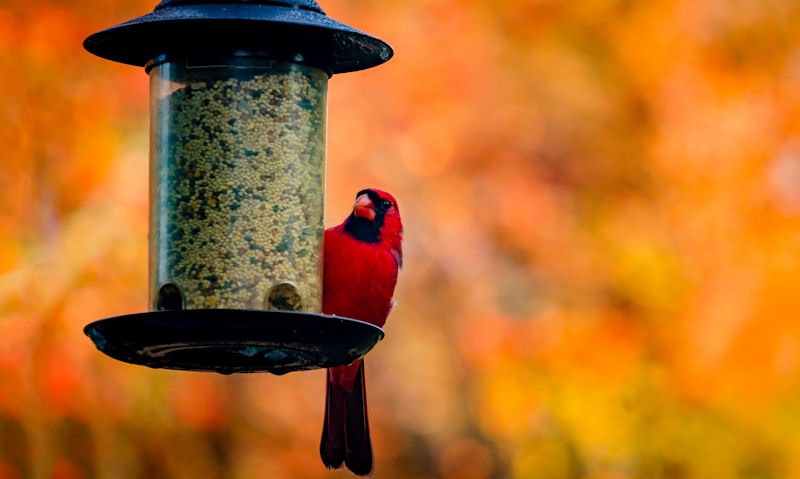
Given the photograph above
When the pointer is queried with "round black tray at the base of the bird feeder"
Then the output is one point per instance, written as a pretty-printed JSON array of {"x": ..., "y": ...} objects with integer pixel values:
[{"x": 234, "y": 340}]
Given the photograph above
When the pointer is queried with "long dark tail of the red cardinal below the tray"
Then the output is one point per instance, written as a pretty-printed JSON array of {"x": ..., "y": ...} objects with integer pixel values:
[{"x": 345, "y": 432}]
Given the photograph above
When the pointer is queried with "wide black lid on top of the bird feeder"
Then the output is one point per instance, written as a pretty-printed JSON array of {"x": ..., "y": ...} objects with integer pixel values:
[{"x": 298, "y": 28}]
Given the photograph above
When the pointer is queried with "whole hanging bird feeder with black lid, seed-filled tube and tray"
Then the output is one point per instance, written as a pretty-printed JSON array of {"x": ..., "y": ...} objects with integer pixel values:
[{"x": 237, "y": 170}]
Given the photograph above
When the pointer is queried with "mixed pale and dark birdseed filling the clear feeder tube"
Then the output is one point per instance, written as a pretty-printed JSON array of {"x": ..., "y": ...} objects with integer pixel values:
[{"x": 239, "y": 179}]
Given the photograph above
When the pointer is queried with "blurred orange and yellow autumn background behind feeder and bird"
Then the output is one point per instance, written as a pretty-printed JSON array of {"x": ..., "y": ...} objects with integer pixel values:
[{"x": 602, "y": 256}]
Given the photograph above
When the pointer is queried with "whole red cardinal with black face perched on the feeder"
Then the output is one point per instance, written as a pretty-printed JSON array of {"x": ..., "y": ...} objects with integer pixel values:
[{"x": 361, "y": 260}]
